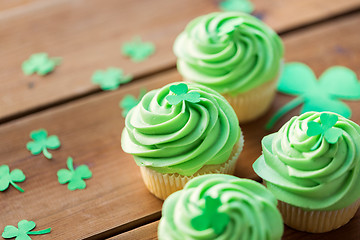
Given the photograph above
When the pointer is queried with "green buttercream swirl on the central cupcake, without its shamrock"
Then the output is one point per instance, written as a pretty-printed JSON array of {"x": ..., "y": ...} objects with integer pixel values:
[{"x": 184, "y": 137}]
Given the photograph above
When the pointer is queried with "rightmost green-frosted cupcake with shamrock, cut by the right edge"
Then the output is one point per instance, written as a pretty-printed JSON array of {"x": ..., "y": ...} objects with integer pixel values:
[{"x": 312, "y": 167}]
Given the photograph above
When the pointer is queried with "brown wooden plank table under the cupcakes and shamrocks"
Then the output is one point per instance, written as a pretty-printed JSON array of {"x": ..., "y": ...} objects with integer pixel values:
[{"x": 88, "y": 36}]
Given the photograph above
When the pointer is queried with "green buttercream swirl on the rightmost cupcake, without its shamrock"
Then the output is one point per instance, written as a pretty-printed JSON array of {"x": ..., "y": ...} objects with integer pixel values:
[{"x": 326, "y": 178}]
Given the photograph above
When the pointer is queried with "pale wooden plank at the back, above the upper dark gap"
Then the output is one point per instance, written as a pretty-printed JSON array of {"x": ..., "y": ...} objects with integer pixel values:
[{"x": 88, "y": 36}]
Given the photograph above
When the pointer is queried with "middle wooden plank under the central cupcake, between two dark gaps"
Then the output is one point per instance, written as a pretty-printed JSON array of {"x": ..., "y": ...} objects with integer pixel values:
[{"x": 116, "y": 199}]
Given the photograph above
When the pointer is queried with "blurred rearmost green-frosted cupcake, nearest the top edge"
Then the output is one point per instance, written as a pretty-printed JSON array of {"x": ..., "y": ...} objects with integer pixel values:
[{"x": 235, "y": 54}]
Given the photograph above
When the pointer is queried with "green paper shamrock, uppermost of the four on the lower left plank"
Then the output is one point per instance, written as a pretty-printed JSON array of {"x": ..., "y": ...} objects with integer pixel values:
[{"x": 42, "y": 142}]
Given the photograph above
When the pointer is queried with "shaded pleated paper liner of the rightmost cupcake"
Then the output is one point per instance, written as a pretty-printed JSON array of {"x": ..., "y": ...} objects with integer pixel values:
[{"x": 316, "y": 221}]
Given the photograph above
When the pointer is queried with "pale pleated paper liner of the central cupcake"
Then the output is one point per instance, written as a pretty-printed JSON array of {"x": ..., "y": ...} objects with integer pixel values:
[{"x": 162, "y": 185}]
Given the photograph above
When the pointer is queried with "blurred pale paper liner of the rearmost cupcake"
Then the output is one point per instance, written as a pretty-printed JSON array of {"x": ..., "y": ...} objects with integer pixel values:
[{"x": 253, "y": 103}]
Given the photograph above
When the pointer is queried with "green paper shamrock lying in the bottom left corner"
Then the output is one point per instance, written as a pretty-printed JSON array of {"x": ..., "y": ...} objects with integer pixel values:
[{"x": 23, "y": 230}]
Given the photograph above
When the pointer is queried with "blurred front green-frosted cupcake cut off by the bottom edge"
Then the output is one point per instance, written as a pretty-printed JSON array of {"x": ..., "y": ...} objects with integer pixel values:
[{"x": 219, "y": 206}]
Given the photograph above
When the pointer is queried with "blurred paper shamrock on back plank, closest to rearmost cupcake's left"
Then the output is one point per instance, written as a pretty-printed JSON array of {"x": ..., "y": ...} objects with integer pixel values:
[{"x": 137, "y": 50}]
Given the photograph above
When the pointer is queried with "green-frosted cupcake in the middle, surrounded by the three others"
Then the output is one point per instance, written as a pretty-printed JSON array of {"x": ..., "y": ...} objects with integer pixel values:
[{"x": 180, "y": 131}]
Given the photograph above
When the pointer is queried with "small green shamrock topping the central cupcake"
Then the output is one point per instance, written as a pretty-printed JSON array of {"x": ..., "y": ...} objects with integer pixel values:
[{"x": 181, "y": 94}]
